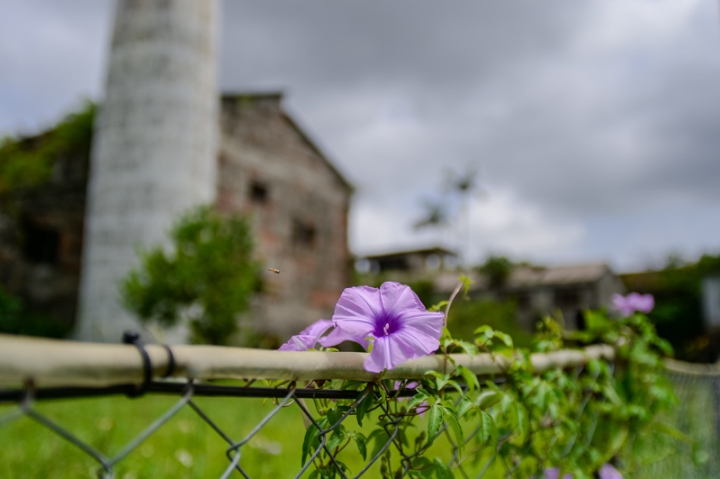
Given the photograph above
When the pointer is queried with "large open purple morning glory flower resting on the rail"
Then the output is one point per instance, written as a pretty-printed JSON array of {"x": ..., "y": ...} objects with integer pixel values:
[{"x": 394, "y": 318}]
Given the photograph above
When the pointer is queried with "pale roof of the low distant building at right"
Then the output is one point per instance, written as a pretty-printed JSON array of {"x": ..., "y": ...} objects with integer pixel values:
[{"x": 523, "y": 276}]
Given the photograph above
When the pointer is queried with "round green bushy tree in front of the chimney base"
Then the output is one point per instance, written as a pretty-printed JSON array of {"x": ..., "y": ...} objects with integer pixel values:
[{"x": 208, "y": 276}]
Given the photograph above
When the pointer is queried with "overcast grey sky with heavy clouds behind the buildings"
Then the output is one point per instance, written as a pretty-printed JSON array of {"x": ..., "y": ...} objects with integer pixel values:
[{"x": 594, "y": 125}]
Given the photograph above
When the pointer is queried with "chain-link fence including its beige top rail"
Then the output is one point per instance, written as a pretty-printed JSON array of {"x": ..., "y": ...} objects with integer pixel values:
[{"x": 71, "y": 416}]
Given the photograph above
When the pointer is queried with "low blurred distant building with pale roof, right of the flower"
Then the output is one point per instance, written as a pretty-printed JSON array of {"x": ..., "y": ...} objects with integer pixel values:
[{"x": 538, "y": 291}]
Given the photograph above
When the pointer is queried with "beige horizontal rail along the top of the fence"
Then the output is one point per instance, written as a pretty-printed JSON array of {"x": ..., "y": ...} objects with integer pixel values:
[{"x": 49, "y": 363}]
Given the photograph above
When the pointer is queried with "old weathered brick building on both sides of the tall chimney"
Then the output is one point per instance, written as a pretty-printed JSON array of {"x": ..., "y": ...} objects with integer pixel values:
[{"x": 267, "y": 168}]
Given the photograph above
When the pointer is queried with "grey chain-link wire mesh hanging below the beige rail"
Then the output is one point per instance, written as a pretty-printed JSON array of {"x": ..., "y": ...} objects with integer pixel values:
[{"x": 270, "y": 441}]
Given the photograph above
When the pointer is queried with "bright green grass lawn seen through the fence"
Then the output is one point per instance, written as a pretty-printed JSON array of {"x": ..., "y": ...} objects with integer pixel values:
[{"x": 185, "y": 447}]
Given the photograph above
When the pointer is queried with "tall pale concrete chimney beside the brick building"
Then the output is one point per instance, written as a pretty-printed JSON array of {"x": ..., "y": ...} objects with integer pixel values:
[{"x": 154, "y": 151}]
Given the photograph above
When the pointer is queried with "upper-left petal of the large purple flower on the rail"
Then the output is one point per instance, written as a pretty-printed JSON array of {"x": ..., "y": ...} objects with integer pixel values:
[{"x": 357, "y": 310}]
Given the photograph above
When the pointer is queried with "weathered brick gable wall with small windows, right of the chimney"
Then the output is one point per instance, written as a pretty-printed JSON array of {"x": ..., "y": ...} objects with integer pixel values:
[{"x": 298, "y": 204}]
